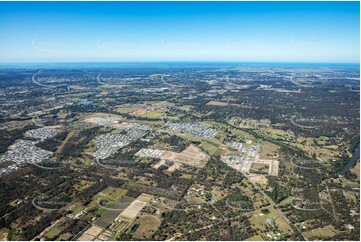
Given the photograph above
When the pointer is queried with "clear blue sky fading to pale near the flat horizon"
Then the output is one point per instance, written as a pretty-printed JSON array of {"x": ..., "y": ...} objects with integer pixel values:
[{"x": 180, "y": 31}]
